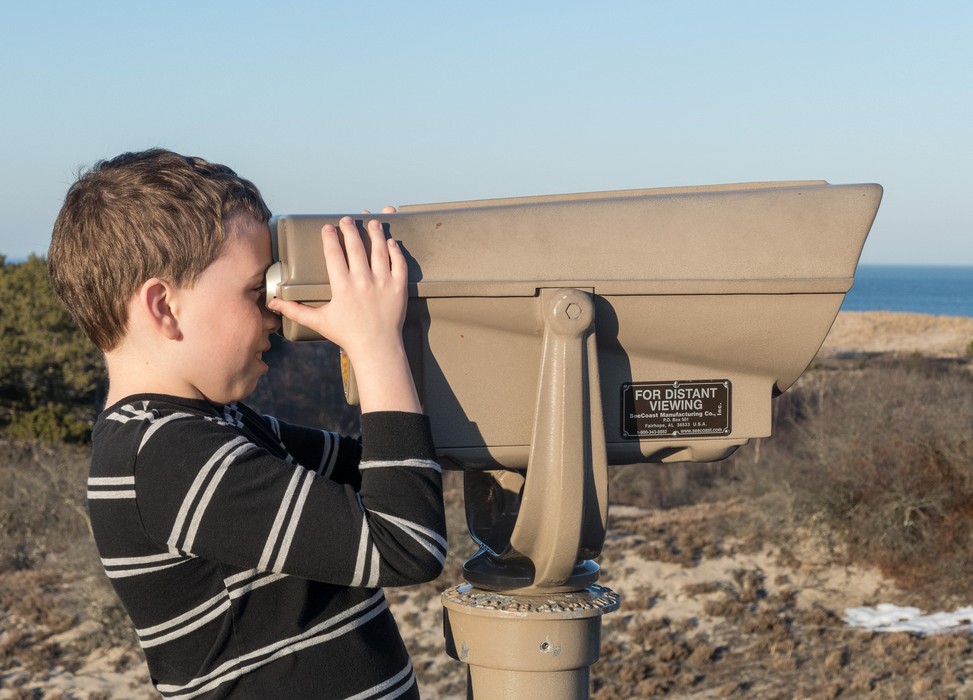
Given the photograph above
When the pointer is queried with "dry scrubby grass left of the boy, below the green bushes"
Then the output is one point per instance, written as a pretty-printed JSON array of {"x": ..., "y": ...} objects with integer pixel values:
[{"x": 56, "y": 605}]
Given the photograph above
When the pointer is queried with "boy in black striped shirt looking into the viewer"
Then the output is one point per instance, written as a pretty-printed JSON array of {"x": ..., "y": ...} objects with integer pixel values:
[{"x": 248, "y": 553}]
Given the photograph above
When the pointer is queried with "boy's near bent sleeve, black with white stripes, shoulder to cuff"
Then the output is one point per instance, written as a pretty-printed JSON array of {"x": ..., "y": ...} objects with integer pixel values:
[{"x": 222, "y": 498}]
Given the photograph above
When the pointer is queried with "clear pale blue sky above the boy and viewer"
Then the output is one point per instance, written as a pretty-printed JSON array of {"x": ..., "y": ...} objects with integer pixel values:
[{"x": 337, "y": 107}]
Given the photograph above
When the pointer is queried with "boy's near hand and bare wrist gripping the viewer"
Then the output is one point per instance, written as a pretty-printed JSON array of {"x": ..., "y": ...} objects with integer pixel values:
[{"x": 365, "y": 314}]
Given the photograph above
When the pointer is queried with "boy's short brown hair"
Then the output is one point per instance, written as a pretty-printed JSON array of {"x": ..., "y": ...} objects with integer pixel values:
[{"x": 138, "y": 216}]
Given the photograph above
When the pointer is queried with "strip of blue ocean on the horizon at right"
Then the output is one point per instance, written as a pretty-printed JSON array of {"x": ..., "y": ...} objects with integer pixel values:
[{"x": 935, "y": 290}]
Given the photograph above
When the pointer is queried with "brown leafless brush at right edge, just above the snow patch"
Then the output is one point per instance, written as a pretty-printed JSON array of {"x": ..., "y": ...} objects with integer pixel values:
[{"x": 879, "y": 455}]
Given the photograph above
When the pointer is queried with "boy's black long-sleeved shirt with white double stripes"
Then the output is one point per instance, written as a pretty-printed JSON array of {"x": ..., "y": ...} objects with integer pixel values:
[{"x": 250, "y": 553}]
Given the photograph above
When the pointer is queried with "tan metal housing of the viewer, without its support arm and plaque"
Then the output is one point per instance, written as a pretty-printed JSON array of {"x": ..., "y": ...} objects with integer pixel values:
[{"x": 735, "y": 282}]
